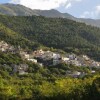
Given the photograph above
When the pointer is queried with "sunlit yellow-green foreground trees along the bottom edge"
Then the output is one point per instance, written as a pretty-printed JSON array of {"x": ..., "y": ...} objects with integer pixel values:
[{"x": 36, "y": 87}]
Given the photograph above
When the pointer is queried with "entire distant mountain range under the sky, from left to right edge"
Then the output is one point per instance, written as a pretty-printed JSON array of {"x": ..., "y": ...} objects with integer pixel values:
[{"x": 20, "y": 10}]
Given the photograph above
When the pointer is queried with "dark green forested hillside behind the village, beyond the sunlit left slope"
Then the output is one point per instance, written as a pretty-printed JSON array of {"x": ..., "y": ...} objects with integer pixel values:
[{"x": 58, "y": 33}]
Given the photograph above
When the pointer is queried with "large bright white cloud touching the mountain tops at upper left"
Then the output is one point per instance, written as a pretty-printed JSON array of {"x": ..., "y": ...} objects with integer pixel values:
[{"x": 45, "y": 4}]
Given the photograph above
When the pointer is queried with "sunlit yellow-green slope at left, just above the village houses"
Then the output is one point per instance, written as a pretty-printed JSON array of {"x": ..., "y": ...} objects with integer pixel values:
[{"x": 16, "y": 39}]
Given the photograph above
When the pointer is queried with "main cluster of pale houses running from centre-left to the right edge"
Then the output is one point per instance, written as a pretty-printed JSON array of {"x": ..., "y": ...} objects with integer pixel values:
[{"x": 48, "y": 58}]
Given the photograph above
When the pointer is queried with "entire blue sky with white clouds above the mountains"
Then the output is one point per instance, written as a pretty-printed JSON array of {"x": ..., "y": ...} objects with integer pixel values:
[{"x": 77, "y": 8}]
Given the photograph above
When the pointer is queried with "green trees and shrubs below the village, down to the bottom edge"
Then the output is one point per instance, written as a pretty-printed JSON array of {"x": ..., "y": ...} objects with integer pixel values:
[{"x": 45, "y": 83}]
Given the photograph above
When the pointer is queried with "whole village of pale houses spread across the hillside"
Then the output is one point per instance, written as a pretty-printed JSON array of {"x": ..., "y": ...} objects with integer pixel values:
[{"x": 47, "y": 58}]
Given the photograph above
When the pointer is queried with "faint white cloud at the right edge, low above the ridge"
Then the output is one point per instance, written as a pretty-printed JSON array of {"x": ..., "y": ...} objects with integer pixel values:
[{"x": 92, "y": 14}]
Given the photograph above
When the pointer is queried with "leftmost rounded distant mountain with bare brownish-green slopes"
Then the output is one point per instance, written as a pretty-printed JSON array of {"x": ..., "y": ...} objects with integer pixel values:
[{"x": 15, "y": 10}]
